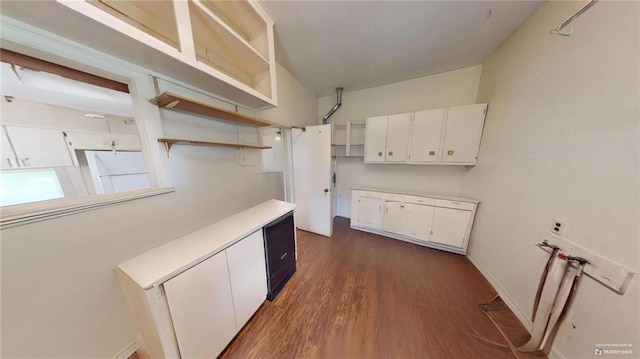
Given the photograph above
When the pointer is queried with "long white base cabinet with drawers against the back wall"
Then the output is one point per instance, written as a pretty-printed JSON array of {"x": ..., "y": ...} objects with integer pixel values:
[{"x": 433, "y": 221}]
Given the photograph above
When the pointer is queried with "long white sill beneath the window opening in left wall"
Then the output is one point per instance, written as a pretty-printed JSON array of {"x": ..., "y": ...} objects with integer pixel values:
[{"x": 20, "y": 214}]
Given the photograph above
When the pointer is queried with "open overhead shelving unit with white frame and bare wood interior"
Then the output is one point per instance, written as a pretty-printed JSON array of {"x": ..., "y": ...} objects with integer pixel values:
[{"x": 225, "y": 47}]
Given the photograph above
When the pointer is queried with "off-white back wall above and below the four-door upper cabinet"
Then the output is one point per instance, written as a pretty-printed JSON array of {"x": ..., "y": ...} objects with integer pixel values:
[{"x": 446, "y": 89}]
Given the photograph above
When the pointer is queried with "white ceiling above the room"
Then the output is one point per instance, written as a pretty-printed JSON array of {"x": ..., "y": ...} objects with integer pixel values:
[{"x": 361, "y": 44}]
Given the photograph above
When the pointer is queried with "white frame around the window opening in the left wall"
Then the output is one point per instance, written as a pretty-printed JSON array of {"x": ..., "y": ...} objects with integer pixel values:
[{"x": 31, "y": 41}]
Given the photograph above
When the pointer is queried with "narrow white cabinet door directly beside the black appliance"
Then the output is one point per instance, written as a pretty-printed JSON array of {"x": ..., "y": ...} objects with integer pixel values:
[{"x": 248, "y": 276}]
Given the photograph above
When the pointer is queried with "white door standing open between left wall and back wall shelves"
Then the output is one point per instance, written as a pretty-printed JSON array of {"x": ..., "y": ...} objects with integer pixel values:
[{"x": 312, "y": 179}]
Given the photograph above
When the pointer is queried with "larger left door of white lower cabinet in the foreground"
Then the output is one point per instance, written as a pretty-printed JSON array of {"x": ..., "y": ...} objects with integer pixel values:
[{"x": 201, "y": 308}]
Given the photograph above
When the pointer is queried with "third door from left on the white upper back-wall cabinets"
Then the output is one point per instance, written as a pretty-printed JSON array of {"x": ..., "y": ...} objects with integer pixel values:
[{"x": 425, "y": 135}]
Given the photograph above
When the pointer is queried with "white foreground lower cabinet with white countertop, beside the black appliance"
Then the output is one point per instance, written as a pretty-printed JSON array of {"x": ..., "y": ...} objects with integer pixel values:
[{"x": 191, "y": 296}]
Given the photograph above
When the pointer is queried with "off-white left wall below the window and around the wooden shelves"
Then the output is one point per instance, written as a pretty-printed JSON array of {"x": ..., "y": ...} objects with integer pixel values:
[{"x": 60, "y": 296}]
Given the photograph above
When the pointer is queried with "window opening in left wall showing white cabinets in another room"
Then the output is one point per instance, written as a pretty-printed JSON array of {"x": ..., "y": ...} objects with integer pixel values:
[{"x": 67, "y": 135}]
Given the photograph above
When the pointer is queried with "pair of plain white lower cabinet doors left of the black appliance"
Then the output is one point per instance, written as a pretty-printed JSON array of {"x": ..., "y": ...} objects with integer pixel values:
[{"x": 212, "y": 301}]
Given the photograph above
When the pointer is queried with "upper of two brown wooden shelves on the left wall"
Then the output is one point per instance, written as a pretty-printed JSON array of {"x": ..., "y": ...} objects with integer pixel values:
[{"x": 173, "y": 101}]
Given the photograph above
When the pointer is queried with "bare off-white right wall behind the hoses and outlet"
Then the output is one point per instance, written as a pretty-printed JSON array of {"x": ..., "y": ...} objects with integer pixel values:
[{"x": 561, "y": 141}]
